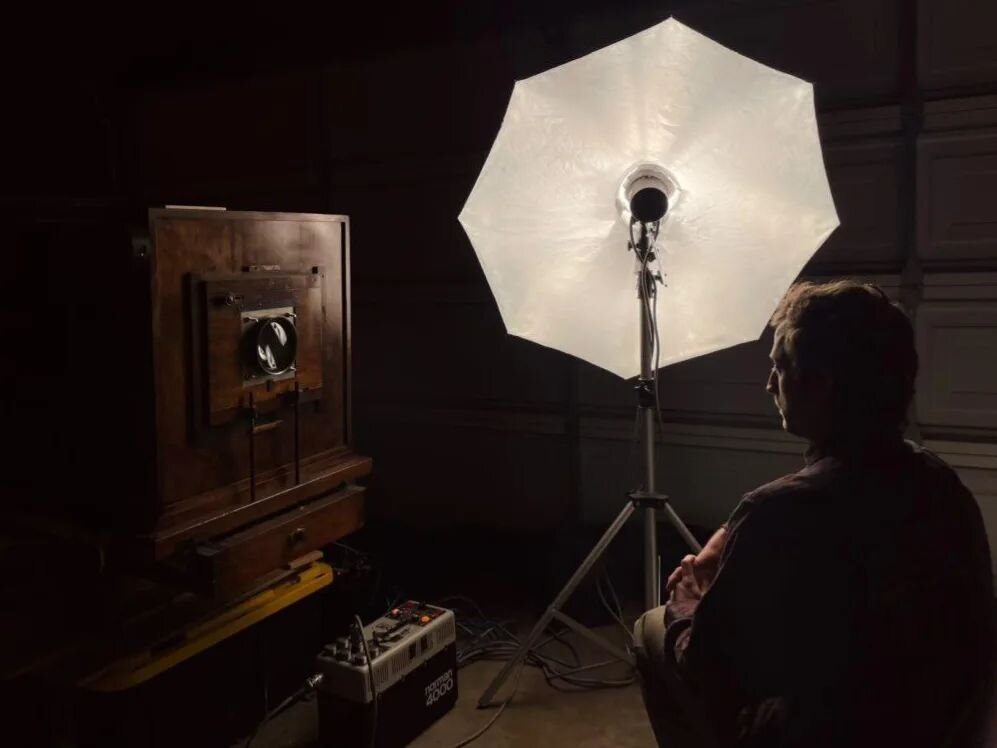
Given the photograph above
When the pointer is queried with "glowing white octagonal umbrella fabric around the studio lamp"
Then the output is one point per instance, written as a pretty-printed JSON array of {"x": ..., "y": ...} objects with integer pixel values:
[{"x": 751, "y": 202}]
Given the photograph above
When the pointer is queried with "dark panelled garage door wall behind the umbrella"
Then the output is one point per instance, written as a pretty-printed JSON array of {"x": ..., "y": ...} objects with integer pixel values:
[{"x": 387, "y": 115}]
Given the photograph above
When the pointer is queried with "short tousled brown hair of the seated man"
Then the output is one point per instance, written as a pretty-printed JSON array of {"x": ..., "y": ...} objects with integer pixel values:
[{"x": 853, "y": 332}]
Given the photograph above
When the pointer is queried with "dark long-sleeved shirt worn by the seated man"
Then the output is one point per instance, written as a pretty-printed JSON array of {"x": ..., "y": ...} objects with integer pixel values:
[{"x": 853, "y": 606}]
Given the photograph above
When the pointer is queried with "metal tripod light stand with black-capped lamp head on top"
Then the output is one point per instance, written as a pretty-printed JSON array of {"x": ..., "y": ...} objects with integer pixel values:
[{"x": 647, "y": 210}]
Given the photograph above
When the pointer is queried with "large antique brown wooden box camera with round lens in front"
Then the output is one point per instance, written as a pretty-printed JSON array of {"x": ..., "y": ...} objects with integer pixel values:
[{"x": 250, "y": 465}]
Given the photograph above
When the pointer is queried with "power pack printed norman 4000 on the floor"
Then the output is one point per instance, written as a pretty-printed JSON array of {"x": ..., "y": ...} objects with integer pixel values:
[{"x": 413, "y": 661}]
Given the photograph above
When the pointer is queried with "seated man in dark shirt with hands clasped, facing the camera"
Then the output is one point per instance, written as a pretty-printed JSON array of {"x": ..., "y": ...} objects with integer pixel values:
[{"x": 850, "y": 604}]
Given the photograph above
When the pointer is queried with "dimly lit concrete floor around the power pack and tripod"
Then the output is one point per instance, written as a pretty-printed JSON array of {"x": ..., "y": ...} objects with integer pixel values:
[{"x": 537, "y": 716}]
